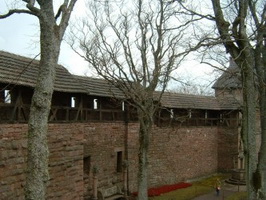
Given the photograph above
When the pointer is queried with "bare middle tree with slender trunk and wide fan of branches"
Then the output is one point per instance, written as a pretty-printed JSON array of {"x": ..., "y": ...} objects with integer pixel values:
[{"x": 134, "y": 46}]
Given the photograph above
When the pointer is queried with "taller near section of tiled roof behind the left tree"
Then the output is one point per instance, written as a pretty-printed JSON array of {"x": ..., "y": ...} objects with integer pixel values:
[{"x": 20, "y": 70}]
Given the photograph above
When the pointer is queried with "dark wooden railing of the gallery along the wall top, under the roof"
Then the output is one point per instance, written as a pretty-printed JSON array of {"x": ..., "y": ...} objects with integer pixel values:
[{"x": 11, "y": 113}]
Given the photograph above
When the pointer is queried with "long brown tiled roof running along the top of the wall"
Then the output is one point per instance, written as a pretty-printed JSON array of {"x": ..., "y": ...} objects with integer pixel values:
[{"x": 20, "y": 70}]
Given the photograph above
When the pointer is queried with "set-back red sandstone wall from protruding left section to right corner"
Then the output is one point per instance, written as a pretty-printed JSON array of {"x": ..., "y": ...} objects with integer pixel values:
[{"x": 175, "y": 154}]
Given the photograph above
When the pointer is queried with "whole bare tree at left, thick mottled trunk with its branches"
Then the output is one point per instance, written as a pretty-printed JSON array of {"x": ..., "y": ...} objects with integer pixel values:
[{"x": 52, "y": 29}]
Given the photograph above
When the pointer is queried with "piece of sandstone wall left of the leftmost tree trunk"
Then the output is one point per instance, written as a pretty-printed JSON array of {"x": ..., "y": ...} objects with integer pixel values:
[{"x": 13, "y": 146}]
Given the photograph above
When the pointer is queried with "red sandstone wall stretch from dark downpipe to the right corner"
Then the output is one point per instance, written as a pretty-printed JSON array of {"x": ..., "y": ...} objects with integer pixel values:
[{"x": 176, "y": 154}]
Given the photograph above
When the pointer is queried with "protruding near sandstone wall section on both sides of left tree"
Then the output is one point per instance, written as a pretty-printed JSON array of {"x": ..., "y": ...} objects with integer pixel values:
[{"x": 65, "y": 167}]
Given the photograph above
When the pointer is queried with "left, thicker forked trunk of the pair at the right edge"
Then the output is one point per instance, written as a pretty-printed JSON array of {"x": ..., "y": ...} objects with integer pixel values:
[{"x": 237, "y": 42}]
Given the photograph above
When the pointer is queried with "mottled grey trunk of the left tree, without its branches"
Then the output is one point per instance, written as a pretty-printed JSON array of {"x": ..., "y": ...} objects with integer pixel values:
[{"x": 37, "y": 163}]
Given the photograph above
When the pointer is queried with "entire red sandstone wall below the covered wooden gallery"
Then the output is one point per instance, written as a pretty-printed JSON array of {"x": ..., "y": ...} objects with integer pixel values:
[{"x": 176, "y": 154}]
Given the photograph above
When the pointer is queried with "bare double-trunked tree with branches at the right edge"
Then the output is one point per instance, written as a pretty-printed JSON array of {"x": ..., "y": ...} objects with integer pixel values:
[{"x": 241, "y": 28}]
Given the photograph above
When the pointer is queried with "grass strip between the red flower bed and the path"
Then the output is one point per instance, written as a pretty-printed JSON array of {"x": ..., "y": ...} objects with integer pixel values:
[{"x": 198, "y": 188}]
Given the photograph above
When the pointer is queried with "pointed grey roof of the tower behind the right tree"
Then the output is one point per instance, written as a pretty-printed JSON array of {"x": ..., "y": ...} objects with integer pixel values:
[{"x": 231, "y": 78}]
